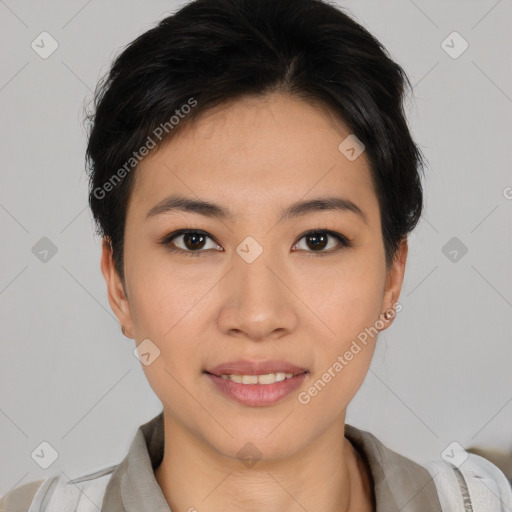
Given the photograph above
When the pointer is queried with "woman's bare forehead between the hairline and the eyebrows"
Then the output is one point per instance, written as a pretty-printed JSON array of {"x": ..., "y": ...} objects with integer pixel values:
[{"x": 255, "y": 153}]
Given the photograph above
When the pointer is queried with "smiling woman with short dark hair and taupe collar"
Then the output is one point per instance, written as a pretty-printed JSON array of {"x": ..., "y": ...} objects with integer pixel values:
[{"x": 254, "y": 181}]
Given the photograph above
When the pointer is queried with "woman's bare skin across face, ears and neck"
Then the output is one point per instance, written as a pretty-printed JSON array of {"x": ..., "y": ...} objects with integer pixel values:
[{"x": 256, "y": 156}]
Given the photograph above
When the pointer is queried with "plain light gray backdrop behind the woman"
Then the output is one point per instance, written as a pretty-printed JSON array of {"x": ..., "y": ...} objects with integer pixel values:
[{"x": 441, "y": 373}]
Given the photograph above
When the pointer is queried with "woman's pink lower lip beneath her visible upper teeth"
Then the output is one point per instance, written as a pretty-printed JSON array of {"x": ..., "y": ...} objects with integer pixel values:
[{"x": 257, "y": 394}]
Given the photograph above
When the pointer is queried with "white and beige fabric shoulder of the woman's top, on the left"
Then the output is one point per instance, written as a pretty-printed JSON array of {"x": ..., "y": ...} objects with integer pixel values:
[{"x": 59, "y": 493}]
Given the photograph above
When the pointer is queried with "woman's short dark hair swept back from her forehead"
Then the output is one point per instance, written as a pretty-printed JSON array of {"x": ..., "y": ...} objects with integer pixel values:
[{"x": 214, "y": 51}]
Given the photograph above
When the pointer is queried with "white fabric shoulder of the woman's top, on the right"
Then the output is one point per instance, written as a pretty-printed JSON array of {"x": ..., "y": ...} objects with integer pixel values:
[{"x": 473, "y": 479}]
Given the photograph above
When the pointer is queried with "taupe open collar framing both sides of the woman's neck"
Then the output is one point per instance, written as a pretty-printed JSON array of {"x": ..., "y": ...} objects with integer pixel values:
[{"x": 399, "y": 483}]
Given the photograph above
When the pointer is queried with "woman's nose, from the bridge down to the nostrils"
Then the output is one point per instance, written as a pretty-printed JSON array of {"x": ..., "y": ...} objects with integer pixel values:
[{"x": 258, "y": 302}]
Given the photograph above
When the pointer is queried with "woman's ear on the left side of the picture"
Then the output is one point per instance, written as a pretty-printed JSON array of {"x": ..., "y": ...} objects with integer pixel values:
[{"x": 115, "y": 290}]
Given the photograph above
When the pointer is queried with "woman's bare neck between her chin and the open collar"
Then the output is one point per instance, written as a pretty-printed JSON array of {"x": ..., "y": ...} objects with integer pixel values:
[{"x": 326, "y": 475}]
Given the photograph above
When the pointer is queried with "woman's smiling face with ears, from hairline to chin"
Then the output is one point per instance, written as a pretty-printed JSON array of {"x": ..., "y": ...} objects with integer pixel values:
[{"x": 255, "y": 284}]
